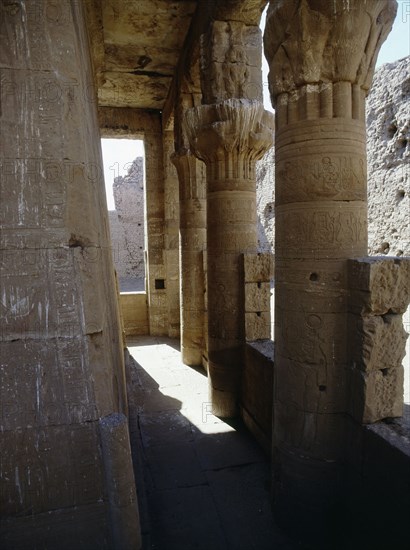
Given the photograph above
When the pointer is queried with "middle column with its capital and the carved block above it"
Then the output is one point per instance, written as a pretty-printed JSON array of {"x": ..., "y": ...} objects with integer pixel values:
[{"x": 229, "y": 133}]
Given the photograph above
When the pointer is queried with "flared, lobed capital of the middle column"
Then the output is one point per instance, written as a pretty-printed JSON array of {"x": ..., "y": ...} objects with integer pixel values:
[{"x": 235, "y": 128}]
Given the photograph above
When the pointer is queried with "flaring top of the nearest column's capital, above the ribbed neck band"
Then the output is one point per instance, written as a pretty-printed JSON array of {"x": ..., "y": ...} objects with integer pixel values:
[{"x": 315, "y": 41}]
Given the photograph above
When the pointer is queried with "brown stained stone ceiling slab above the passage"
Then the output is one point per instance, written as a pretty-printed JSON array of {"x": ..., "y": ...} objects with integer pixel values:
[{"x": 133, "y": 68}]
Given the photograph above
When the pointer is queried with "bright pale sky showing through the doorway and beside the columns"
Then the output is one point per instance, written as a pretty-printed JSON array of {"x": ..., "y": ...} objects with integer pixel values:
[{"x": 119, "y": 153}]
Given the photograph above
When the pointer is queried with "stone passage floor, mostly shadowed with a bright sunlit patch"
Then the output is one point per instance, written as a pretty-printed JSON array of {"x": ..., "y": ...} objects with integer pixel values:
[{"x": 206, "y": 481}]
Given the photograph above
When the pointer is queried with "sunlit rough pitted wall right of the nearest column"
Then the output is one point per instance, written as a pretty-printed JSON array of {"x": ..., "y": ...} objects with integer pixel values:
[{"x": 389, "y": 160}]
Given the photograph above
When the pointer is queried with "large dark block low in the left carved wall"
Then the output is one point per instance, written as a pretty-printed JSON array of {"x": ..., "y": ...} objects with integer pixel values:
[{"x": 50, "y": 468}]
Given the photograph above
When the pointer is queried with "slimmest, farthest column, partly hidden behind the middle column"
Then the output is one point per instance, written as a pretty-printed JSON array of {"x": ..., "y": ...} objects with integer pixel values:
[{"x": 192, "y": 227}]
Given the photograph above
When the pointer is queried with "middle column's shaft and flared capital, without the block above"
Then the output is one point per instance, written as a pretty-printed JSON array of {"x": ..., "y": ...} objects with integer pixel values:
[{"x": 237, "y": 130}]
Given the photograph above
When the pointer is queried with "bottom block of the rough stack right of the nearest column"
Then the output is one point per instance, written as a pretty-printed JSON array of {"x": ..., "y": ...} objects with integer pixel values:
[{"x": 376, "y": 394}]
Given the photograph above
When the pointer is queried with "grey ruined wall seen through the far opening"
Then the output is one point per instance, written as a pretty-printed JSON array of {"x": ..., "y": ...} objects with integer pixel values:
[{"x": 127, "y": 227}]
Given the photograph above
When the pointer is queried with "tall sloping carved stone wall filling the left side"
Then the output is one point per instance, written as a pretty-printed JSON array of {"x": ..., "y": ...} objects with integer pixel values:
[{"x": 61, "y": 356}]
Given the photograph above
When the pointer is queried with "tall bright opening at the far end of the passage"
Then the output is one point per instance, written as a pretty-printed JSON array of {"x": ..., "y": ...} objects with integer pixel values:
[{"x": 124, "y": 174}]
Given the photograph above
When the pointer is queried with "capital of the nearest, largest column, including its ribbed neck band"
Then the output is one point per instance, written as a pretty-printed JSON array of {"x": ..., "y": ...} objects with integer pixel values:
[{"x": 322, "y": 55}]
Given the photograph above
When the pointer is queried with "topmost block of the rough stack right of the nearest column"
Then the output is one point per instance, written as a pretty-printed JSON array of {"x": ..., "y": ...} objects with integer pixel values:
[{"x": 379, "y": 285}]
